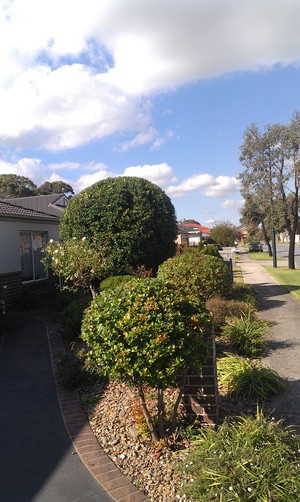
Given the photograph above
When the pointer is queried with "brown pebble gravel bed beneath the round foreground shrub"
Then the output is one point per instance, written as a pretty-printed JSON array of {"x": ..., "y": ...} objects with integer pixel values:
[{"x": 110, "y": 409}]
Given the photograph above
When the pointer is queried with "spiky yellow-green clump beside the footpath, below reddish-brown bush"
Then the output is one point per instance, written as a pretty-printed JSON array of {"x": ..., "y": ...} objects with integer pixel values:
[{"x": 246, "y": 334}]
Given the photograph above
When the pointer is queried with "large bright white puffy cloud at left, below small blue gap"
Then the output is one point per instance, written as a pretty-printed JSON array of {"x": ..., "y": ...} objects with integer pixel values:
[{"x": 64, "y": 108}]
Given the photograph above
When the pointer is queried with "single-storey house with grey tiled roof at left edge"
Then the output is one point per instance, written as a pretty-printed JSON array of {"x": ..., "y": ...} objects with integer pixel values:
[{"x": 26, "y": 225}]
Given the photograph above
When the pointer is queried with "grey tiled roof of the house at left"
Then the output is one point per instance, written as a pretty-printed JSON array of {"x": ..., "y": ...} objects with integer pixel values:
[{"x": 53, "y": 204}]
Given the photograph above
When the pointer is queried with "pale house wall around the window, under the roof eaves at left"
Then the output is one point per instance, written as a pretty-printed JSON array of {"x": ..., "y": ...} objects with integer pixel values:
[{"x": 10, "y": 259}]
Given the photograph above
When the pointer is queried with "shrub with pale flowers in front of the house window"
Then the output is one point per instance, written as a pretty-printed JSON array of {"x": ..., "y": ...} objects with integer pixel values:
[{"x": 77, "y": 261}]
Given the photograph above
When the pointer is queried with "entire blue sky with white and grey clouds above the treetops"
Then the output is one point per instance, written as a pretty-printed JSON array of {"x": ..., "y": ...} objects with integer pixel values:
[{"x": 161, "y": 90}]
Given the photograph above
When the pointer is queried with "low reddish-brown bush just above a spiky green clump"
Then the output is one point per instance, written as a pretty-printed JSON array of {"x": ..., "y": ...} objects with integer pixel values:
[{"x": 222, "y": 308}]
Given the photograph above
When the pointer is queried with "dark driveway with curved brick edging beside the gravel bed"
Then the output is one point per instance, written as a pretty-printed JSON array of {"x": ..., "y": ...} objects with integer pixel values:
[{"x": 39, "y": 460}]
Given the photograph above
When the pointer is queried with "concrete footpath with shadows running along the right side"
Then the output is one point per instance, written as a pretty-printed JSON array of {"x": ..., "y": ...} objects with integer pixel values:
[{"x": 277, "y": 305}]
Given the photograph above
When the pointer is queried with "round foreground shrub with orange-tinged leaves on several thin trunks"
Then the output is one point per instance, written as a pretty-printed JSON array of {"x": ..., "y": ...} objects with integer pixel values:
[{"x": 147, "y": 333}]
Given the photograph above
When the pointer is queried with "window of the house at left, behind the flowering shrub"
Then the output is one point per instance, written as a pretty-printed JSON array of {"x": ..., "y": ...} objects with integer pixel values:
[{"x": 31, "y": 244}]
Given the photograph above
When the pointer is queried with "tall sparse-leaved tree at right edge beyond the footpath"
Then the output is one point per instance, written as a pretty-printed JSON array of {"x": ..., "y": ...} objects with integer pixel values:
[{"x": 272, "y": 173}]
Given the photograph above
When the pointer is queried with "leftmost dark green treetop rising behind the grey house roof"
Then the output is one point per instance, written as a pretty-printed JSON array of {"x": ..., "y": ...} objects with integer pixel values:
[{"x": 13, "y": 186}]
